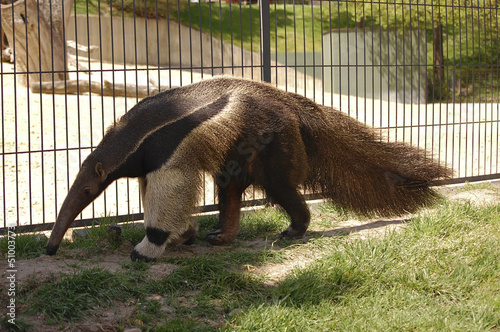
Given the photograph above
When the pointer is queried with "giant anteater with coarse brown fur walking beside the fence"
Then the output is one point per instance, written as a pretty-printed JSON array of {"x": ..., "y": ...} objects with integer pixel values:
[{"x": 243, "y": 132}]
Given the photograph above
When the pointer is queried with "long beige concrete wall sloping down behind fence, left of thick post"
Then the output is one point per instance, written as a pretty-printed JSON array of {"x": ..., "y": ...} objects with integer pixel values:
[{"x": 159, "y": 43}]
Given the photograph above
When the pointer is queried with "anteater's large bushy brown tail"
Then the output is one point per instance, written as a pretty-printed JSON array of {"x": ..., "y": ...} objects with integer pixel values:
[{"x": 357, "y": 170}]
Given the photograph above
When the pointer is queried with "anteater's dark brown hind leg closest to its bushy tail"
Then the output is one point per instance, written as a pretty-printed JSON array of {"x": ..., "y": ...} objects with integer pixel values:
[{"x": 294, "y": 204}]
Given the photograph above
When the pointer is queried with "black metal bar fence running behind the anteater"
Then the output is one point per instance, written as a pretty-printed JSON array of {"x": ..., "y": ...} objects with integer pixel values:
[{"x": 425, "y": 72}]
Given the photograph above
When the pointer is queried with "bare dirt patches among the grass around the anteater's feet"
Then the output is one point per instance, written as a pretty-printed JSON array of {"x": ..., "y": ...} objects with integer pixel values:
[{"x": 42, "y": 268}]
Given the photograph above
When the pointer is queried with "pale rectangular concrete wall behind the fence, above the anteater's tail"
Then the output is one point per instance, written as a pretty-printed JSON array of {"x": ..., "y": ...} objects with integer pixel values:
[{"x": 380, "y": 64}]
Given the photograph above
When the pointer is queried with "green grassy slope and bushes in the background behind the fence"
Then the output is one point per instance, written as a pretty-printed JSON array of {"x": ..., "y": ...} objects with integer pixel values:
[{"x": 470, "y": 39}]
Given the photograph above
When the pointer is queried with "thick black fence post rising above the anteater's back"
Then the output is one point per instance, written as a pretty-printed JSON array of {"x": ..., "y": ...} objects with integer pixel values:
[{"x": 265, "y": 40}]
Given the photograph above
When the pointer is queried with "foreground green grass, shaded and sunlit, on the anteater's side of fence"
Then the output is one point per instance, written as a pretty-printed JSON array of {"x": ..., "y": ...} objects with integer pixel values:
[{"x": 440, "y": 272}]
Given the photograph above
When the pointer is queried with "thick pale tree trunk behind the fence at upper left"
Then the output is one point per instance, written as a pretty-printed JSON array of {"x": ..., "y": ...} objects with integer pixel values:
[{"x": 35, "y": 31}]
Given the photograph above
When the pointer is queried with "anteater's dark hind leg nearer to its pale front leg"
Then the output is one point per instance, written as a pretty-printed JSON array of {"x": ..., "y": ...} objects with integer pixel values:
[{"x": 229, "y": 206}]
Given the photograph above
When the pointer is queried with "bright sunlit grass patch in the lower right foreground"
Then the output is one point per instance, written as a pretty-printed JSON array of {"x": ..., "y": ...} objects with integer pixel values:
[{"x": 441, "y": 272}]
